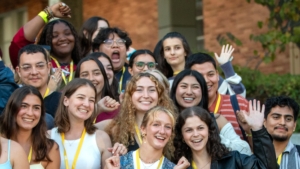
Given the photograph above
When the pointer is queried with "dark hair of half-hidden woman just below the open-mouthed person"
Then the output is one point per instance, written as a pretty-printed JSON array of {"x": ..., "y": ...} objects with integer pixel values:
[{"x": 115, "y": 84}]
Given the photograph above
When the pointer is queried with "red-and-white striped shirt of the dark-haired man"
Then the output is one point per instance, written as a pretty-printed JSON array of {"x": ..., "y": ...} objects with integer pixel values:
[{"x": 227, "y": 111}]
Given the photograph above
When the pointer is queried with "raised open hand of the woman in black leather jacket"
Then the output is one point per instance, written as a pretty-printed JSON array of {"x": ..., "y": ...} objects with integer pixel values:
[{"x": 255, "y": 118}]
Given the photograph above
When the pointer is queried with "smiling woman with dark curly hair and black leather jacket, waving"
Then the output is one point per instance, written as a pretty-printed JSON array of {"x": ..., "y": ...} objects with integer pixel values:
[{"x": 197, "y": 139}]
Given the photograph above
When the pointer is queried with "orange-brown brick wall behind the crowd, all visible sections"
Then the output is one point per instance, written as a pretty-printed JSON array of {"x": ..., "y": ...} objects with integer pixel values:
[{"x": 140, "y": 20}]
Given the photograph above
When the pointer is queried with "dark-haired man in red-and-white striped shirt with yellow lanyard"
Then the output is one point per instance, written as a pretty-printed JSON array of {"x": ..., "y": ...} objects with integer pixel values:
[{"x": 218, "y": 103}]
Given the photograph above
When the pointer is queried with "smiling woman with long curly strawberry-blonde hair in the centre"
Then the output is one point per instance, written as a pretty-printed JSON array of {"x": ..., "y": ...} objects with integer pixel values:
[{"x": 143, "y": 92}]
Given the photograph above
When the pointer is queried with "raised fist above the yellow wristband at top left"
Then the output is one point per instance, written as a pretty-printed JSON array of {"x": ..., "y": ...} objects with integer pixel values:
[{"x": 61, "y": 10}]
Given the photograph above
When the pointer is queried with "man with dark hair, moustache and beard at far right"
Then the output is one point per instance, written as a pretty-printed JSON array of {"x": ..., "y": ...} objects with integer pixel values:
[{"x": 280, "y": 121}]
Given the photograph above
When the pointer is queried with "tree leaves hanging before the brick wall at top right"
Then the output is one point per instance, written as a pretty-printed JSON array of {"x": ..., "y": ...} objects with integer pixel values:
[{"x": 283, "y": 27}]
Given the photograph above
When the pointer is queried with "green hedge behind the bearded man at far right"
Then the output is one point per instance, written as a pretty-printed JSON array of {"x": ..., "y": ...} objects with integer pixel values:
[{"x": 261, "y": 86}]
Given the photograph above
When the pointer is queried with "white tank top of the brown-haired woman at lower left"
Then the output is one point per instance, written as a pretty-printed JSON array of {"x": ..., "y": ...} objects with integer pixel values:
[{"x": 89, "y": 156}]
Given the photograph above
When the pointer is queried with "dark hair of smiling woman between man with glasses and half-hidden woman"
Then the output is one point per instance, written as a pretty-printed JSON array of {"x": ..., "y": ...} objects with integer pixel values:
[{"x": 106, "y": 88}]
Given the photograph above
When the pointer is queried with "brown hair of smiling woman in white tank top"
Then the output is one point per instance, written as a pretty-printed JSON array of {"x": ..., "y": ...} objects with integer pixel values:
[{"x": 62, "y": 120}]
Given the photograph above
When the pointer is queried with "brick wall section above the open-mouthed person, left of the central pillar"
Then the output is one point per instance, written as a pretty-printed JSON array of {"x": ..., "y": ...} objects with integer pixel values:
[{"x": 137, "y": 17}]
